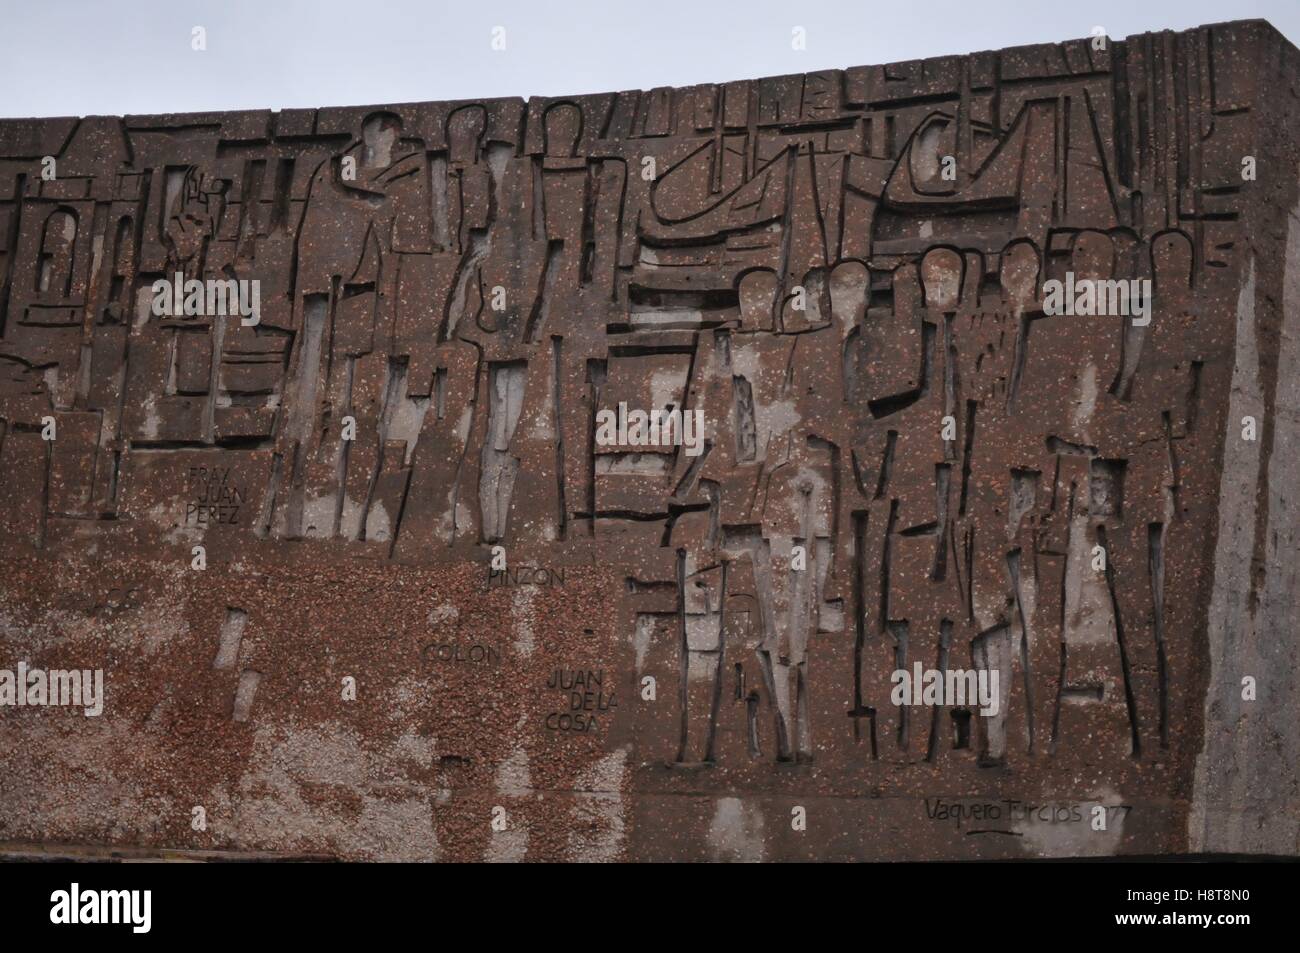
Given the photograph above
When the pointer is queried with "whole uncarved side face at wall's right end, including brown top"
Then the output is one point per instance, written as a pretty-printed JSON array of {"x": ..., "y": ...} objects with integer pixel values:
[{"x": 1247, "y": 798}]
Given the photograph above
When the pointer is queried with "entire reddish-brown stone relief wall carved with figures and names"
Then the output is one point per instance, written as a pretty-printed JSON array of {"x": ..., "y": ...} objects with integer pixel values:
[{"x": 905, "y": 460}]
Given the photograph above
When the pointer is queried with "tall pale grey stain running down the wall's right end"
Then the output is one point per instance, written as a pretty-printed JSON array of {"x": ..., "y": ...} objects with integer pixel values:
[{"x": 1245, "y": 795}]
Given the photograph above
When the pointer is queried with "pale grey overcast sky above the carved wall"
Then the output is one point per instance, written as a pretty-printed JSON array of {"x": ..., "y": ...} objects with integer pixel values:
[{"x": 80, "y": 58}]
